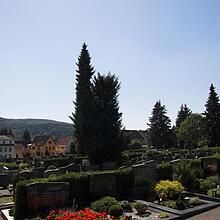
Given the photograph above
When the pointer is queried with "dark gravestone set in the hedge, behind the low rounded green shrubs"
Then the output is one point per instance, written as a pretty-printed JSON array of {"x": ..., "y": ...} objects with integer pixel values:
[{"x": 103, "y": 184}]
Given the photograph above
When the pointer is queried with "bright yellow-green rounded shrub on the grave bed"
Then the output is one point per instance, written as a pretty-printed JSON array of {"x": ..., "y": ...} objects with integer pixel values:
[{"x": 168, "y": 190}]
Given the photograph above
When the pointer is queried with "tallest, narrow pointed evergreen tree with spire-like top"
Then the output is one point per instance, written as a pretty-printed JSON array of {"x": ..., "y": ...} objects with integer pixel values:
[{"x": 82, "y": 117}]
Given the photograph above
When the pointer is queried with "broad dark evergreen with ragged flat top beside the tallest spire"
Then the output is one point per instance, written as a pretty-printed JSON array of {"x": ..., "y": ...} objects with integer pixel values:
[{"x": 109, "y": 141}]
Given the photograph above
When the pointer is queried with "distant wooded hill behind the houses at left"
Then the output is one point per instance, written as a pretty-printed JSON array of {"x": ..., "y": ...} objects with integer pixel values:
[{"x": 37, "y": 127}]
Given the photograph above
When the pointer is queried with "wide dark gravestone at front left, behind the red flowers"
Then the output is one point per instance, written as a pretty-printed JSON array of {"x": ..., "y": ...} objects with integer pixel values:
[{"x": 43, "y": 196}]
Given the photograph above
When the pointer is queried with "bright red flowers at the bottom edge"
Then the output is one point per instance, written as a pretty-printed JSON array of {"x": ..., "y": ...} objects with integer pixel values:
[{"x": 88, "y": 214}]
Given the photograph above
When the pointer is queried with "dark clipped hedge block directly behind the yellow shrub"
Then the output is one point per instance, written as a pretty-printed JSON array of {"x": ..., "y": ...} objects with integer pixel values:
[{"x": 164, "y": 171}]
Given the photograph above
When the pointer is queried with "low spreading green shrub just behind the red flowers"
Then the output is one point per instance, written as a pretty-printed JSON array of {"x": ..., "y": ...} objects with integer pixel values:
[{"x": 103, "y": 205}]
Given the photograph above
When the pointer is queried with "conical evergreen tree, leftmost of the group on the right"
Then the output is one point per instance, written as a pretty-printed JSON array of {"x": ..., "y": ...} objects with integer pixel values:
[{"x": 159, "y": 127}]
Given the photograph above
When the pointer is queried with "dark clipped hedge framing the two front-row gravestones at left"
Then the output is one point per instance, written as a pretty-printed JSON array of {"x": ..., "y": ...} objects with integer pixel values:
[{"x": 79, "y": 189}]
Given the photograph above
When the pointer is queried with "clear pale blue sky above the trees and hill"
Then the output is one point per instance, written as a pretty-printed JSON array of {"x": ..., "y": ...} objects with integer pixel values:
[{"x": 160, "y": 50}]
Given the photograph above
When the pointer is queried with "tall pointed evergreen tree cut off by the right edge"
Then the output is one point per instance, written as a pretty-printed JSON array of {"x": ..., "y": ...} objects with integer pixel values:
[{"x": 212, "y": 117}]
